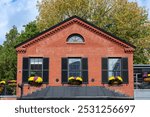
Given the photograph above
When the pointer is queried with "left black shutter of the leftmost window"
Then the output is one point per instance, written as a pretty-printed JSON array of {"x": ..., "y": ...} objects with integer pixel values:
[{"x": 25, "y": 73}]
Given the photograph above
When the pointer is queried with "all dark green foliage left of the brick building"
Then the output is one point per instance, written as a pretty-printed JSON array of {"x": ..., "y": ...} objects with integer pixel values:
[{"x": 8, "y": 56}]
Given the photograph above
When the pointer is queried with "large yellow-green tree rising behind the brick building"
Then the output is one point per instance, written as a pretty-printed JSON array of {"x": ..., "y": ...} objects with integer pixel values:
[{"x": 120, "y": 17}]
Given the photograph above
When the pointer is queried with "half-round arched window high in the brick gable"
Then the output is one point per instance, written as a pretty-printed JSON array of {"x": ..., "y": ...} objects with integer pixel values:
[{"x": 75, "y": 38}]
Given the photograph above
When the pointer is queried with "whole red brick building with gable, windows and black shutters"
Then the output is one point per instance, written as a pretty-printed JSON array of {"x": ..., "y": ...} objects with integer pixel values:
[{"x": 75, "y": 47}]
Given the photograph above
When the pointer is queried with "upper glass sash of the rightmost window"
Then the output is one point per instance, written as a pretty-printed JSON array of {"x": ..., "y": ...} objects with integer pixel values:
[{"x": 114, "y": 64}]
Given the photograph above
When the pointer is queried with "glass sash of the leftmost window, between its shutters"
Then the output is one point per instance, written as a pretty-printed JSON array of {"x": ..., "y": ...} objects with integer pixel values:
[{"x": 36, "y": 67}]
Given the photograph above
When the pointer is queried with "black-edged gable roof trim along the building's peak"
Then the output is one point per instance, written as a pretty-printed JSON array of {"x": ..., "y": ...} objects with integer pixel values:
[{"x": 82, "y": 20}]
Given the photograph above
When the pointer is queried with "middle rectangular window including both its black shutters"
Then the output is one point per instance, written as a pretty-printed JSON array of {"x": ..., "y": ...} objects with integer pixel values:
[{"x": 74, "y": 67}]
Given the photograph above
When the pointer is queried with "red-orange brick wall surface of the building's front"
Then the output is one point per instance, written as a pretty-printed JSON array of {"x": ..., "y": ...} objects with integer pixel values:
[{"x": 95, "y": 47}]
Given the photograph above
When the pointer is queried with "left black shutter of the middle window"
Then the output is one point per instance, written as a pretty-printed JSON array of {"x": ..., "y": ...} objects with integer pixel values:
[{"x": 64, "y": 68}]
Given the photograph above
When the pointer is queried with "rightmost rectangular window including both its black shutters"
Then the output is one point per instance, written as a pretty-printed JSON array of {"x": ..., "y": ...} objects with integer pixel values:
[{"x": 114, "y": 67}]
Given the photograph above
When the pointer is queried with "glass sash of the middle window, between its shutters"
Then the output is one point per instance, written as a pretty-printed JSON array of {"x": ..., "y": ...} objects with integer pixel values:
[{"x": 74, "y": 67}]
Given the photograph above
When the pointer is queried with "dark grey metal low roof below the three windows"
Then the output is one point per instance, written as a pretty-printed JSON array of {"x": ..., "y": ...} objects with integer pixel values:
[{"x": 75, "y": 92}]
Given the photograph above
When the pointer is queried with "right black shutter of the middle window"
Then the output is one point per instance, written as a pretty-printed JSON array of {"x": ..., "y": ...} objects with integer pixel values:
[{"x": 85, "y": 70}]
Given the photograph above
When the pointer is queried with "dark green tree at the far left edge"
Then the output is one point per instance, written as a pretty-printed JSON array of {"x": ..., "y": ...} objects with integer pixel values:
[{"x": 8, "y": 55}]
